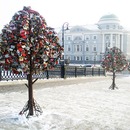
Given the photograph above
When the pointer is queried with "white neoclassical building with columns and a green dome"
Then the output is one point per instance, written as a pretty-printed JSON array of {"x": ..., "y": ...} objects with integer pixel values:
[{"x": 87, "y": 44}]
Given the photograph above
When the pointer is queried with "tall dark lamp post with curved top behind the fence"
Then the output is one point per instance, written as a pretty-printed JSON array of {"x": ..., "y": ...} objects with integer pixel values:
[{"x": 63, "y": 58}]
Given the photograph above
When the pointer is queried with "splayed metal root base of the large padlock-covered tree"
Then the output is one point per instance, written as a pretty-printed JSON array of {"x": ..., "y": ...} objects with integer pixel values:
[{"x": 26, "y": 109}]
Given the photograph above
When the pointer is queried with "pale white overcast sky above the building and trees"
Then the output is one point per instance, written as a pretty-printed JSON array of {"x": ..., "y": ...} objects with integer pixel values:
[{"x": 75, "y": 12}]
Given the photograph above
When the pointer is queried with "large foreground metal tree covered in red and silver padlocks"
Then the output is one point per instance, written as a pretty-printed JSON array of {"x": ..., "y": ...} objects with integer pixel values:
[{"x": 29, "y": 46}]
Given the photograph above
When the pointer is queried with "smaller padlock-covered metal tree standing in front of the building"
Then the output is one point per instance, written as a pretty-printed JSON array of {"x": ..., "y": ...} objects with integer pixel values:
[{"x": 114, "y": 61}]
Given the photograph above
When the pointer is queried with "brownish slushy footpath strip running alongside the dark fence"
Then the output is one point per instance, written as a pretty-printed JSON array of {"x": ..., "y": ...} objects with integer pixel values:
[{"x": 19, "y": 85}]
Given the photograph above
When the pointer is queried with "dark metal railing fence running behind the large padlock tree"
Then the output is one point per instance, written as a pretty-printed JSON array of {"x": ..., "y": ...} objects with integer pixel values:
[{"x": 55, "y": 73}]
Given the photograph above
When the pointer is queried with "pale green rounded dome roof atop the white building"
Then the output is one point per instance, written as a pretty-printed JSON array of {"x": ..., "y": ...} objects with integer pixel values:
[{"x": 109, "y": 18}]
